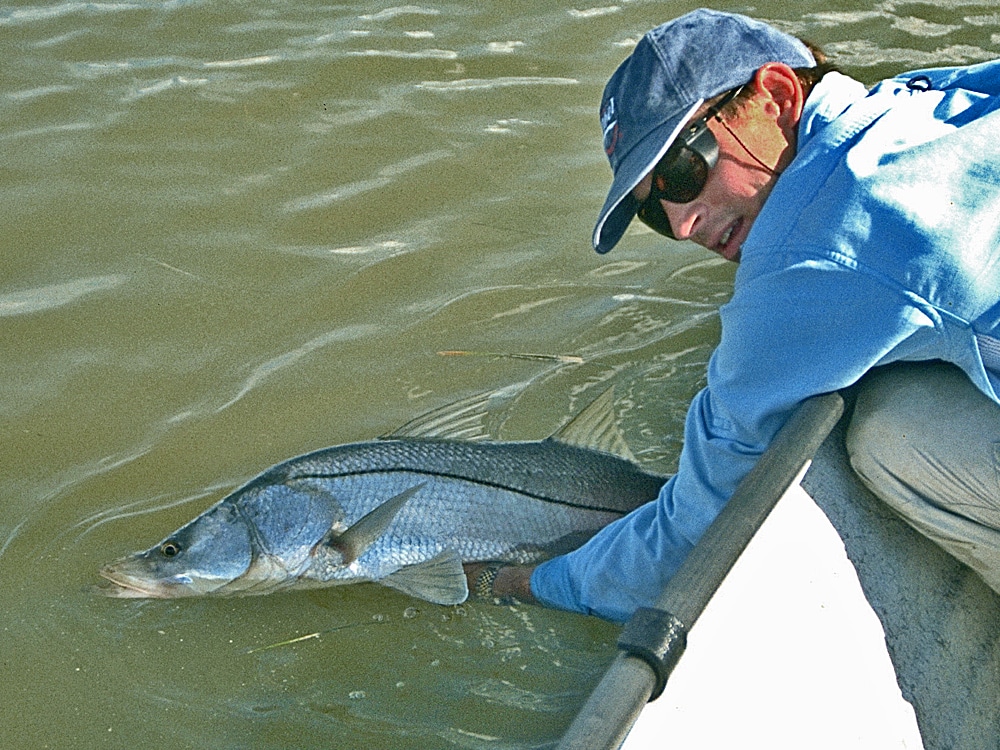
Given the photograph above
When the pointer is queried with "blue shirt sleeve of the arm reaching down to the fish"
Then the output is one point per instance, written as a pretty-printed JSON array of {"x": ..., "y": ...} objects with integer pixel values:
[{"x": 812, "y": 328}]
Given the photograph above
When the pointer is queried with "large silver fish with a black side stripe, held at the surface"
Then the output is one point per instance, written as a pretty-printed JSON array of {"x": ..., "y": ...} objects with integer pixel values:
[{"x": 406, "y": 511}]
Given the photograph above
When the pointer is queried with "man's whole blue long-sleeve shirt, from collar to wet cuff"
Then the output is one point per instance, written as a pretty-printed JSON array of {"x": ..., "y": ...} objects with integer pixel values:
[{"x": 879, "y": 243}]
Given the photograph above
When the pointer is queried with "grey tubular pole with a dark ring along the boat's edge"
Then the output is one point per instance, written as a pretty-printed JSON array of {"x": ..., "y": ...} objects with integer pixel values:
[{"x": 653, "y": 640}]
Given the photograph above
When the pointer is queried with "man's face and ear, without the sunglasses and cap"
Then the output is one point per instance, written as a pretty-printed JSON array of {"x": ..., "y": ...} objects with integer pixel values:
[{"x": 721, "y": 216}]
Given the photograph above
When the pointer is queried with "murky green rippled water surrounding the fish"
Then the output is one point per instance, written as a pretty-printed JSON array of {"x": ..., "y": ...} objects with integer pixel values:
[{"x": 233, "y": 232}]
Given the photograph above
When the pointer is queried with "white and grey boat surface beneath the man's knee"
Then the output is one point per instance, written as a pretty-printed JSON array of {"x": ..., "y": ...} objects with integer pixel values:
[{"x": 835, "y": 612}]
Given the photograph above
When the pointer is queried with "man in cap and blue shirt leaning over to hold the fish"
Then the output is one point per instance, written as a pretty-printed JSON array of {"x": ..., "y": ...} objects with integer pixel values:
[{"x": 867, "y": 228}]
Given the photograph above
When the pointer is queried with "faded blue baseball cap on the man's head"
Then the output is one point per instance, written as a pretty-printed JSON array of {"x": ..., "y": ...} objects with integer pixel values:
[{"x": 673, "y": 70}]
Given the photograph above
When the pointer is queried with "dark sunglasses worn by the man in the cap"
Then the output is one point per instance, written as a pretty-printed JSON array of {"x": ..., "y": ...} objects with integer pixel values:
[{"x": 680, "y": 176}]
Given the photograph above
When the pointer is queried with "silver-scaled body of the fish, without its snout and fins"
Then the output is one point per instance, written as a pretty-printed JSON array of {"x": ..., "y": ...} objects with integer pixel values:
[{"x": 517, "y": 502}]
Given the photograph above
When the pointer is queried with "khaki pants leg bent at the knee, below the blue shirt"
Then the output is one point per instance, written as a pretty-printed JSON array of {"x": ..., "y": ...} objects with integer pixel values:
[{"x": 927, "y": 442}]
